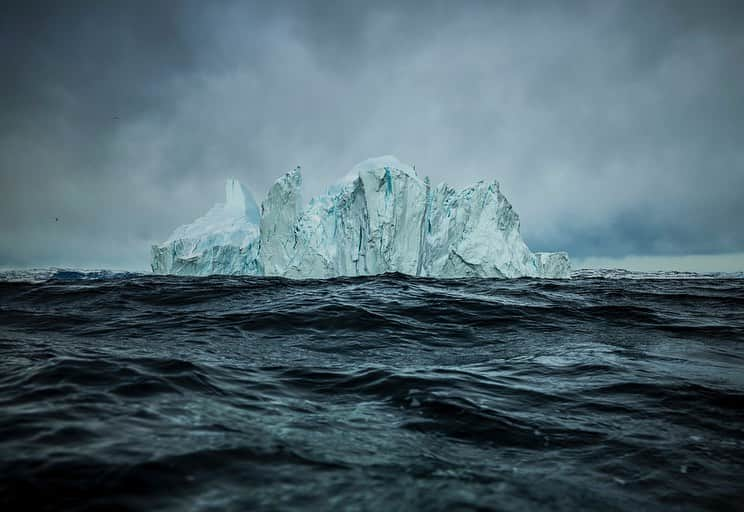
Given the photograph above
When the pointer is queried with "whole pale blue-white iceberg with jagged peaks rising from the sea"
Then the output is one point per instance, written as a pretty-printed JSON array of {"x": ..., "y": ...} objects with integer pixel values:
[{"x": 380, "y": 218}]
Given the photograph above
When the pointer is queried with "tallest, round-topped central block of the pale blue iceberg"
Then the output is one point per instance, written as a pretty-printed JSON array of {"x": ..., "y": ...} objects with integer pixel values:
[{"x": 369, "y": 223}]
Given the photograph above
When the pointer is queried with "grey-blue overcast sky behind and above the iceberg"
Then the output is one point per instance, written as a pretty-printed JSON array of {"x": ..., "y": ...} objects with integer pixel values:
[{"x": 615, "y": 128}]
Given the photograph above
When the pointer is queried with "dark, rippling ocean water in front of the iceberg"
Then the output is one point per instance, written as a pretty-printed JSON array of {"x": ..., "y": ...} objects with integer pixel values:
[{"x": 609, "y": 391}]
